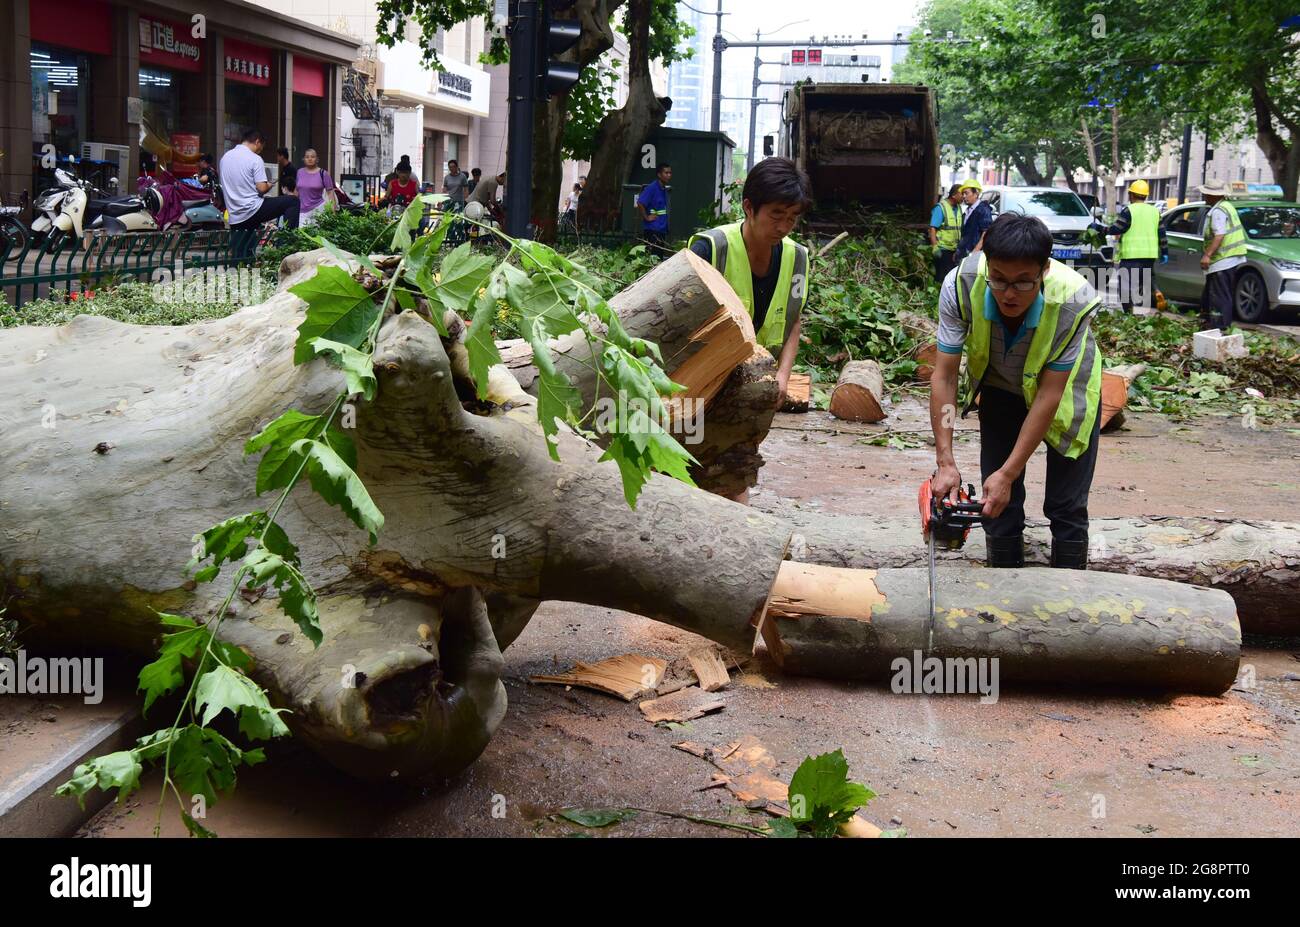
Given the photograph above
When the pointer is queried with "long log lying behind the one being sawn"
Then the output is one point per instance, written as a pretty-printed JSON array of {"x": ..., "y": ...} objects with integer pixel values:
[{"x": 1258, "y": 564}]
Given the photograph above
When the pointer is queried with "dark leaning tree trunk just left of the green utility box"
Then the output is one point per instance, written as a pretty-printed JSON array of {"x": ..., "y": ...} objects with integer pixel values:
[{"x": 625, "y": 131}]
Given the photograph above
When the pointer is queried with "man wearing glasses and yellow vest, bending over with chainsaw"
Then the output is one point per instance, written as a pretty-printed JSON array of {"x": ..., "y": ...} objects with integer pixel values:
[{"x": 1024, "y": 323}]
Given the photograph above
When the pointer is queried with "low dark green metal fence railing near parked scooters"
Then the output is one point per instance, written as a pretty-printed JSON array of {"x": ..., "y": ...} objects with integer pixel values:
[{"x": 101, "y": 259}]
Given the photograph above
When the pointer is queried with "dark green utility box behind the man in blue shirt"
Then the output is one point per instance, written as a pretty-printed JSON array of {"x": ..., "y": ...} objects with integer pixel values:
[{"x": 701, "y": 166}]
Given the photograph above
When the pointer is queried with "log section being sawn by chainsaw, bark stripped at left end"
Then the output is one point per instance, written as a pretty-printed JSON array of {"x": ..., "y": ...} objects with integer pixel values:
[{"x": 1043, "y": 626}]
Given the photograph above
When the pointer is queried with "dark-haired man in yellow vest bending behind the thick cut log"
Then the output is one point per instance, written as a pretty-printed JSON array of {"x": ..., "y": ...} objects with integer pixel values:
[{"x": 768, "y": 270}]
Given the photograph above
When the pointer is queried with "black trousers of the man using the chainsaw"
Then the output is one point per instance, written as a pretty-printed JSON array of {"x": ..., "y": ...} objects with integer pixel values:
[{"x": 1065, "y": 501}]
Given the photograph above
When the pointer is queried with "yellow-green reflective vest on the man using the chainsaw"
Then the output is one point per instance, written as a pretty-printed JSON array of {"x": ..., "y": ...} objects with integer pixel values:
[{"x": 1068, "y": 304}]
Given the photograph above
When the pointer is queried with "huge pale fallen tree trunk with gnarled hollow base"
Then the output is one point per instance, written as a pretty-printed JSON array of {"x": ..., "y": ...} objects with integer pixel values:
[{"x": 144, "y": 450}]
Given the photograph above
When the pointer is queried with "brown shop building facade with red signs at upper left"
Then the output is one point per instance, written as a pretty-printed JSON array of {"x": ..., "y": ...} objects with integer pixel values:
[{"x": 90, "y": 85}]
